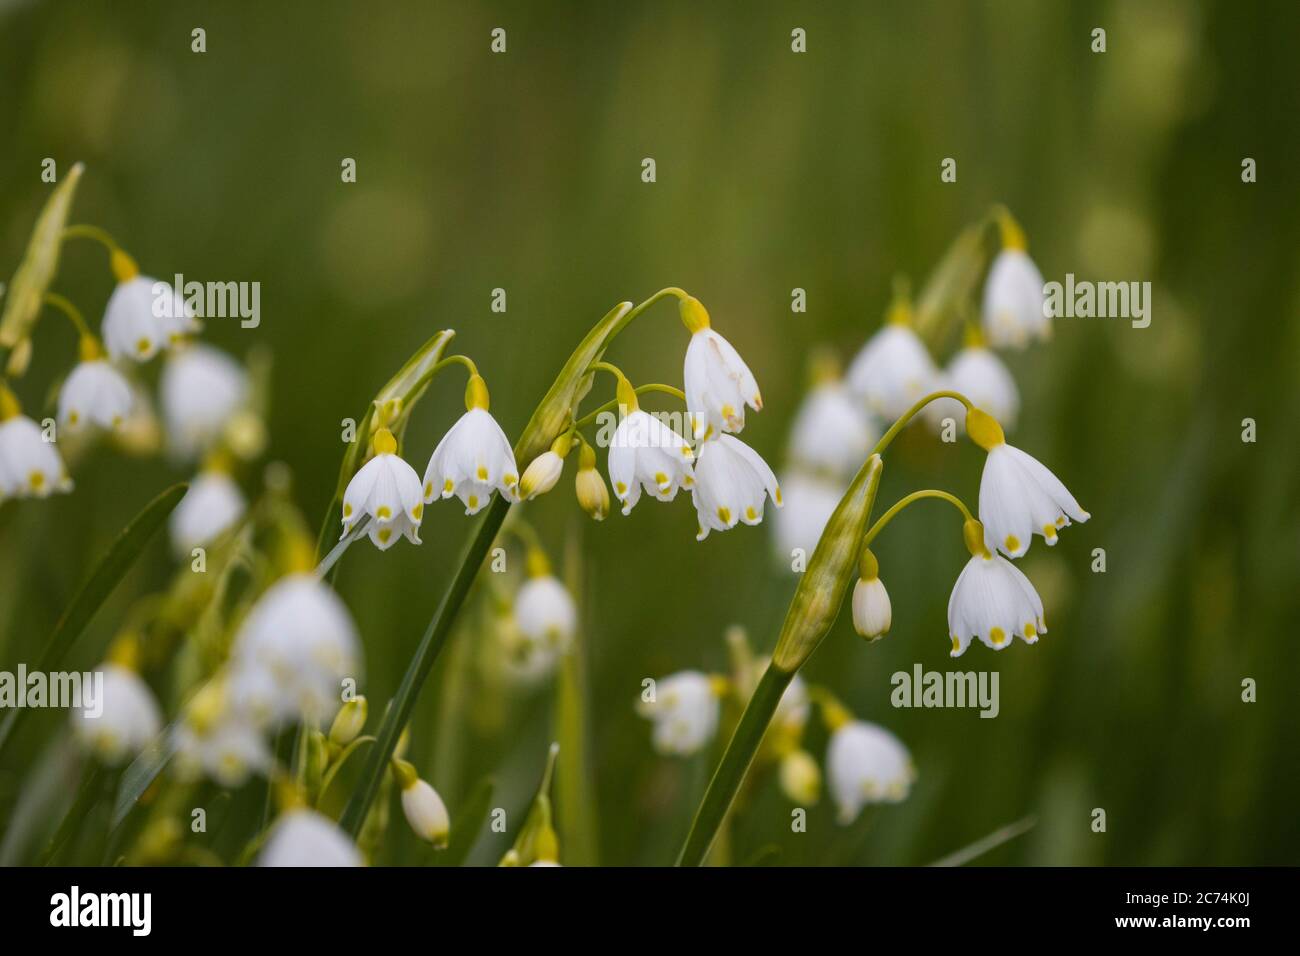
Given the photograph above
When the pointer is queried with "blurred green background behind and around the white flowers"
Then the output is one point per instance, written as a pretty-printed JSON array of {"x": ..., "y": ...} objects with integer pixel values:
[{"x": 775, "y": 171}]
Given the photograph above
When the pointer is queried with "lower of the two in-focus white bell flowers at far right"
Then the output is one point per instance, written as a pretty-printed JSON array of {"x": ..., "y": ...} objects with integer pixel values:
[{"x": 994, "y": 600}]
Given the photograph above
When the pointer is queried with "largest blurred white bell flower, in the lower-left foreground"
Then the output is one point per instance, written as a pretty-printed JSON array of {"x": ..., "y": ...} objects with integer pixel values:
[{"x": 300, "y": 641}]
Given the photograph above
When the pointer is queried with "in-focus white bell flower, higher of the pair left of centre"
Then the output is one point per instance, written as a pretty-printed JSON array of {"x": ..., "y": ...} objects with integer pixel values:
[{"x": 475, "y": 458}]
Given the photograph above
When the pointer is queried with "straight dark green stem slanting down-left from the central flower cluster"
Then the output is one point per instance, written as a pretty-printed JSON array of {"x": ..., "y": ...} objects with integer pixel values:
[{"x": 431, "y": 644}]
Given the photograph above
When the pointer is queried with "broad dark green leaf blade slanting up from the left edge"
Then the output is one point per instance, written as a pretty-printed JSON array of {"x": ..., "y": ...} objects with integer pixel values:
[{"x": 102, "y": 583}]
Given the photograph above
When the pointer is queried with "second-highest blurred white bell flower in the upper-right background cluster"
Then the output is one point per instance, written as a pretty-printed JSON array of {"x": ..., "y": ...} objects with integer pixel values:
[{"x": 894, "y": 370}]
